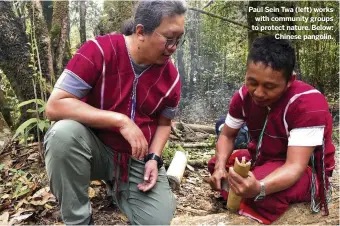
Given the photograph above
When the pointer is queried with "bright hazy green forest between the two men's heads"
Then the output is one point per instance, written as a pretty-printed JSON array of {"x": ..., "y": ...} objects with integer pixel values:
[{"x": 214, "y": 60}]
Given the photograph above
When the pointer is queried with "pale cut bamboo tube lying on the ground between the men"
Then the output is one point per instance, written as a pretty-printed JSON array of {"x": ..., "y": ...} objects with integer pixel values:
[{"x": 176, "y": 169}]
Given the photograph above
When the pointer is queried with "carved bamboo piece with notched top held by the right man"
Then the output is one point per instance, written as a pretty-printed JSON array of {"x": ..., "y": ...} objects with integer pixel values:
[{"x": 241, "y": 168}]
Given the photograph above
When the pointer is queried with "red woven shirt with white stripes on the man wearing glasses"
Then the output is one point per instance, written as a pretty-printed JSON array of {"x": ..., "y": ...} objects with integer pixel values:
[{"x": 101, "y": 74}]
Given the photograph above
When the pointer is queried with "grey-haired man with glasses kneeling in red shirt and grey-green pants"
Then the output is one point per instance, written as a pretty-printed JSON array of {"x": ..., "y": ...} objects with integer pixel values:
[{"x": 114, "y": 104}]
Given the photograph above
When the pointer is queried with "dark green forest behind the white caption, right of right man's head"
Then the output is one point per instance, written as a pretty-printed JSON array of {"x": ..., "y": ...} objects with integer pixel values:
[{"x": 317, "y": 60}]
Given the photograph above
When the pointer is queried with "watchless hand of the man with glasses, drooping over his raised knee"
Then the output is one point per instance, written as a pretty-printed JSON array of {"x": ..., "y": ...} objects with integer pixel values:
[{"x": 132, "y": 133}]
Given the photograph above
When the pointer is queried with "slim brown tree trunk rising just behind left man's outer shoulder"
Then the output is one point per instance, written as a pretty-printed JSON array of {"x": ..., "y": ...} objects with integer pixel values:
[{"x": 59, "y": 34}]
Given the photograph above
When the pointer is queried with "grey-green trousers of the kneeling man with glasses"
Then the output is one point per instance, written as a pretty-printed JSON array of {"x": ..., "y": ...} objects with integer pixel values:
[{"x": 74, "y": 156}]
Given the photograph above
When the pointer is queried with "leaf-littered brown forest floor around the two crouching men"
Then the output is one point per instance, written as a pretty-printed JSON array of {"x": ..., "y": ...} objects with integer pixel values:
[{"x": 25, "y": 197}]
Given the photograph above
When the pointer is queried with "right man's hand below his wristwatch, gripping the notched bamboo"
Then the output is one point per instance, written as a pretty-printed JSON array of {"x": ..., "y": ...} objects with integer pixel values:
[{"x": 247, "y": 187}]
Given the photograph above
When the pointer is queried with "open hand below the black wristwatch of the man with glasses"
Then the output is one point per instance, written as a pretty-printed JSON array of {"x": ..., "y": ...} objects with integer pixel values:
[{"x": 150, "y": 176}]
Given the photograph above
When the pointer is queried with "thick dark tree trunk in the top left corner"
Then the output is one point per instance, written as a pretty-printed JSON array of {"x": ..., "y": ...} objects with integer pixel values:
[{"x": 15, "y": 57}]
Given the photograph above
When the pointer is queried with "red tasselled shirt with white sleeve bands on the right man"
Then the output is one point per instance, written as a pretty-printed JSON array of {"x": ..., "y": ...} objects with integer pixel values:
[{"x": 300, "y": 109}]
